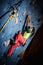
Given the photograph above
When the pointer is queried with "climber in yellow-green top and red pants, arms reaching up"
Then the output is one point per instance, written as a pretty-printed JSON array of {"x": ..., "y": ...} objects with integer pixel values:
[{"x": 21, "y": 39}]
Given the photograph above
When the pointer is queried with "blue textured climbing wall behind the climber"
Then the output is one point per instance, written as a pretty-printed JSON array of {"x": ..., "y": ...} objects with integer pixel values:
[{"x": 26, "y": 8}]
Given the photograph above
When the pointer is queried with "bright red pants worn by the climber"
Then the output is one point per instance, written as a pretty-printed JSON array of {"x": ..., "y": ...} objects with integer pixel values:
[{"x": 20, "y": 40}]
